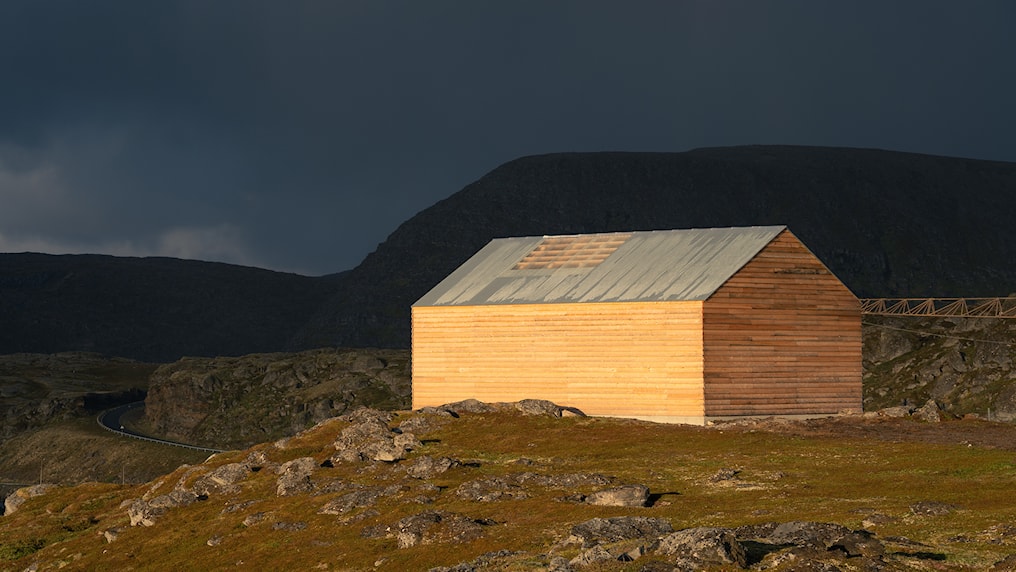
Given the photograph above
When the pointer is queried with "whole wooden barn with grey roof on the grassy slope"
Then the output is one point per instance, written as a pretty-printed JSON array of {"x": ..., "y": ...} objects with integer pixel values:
[{"x": 680, "y": 327}]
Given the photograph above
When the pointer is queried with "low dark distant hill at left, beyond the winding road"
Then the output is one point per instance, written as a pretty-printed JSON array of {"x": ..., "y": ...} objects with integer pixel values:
[{"x": 150, "y": 309}]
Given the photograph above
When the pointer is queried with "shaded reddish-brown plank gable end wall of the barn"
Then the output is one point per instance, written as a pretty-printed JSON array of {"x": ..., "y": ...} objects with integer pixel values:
[{"x": 783, "y": 337}]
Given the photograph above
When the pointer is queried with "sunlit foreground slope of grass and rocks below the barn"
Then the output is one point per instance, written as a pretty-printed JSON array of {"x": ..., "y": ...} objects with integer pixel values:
[{"x": 482, "y": 487}]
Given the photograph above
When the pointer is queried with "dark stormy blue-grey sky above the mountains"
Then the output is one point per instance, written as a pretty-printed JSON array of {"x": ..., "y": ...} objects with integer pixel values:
[{"x": 297, "y": 136}]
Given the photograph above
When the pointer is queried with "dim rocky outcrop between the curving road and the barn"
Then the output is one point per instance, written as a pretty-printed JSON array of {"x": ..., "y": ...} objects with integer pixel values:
[{"x": 228, "y": 403}]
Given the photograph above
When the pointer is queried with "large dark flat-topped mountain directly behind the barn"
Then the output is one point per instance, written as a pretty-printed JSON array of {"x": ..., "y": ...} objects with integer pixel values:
[{"x": 887, "y": 224}]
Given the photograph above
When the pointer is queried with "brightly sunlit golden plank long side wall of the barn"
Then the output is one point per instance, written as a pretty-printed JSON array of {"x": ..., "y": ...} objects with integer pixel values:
[{"x": 608, "y": 359}]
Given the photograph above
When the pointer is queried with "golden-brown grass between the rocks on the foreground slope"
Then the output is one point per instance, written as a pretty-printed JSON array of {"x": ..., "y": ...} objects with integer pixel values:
[{"x": 781, "y": 479}]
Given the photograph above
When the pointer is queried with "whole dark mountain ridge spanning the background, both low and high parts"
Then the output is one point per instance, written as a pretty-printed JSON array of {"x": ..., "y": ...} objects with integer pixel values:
[{"x": 887, "y": 224}]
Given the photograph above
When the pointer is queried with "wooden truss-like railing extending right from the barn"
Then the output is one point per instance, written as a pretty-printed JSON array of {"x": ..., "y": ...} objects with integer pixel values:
[{"x": 944, "y": 307}]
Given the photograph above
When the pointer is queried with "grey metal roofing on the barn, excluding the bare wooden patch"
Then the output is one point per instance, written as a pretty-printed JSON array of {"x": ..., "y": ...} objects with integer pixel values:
[{"x": 648, "y": 267}]
